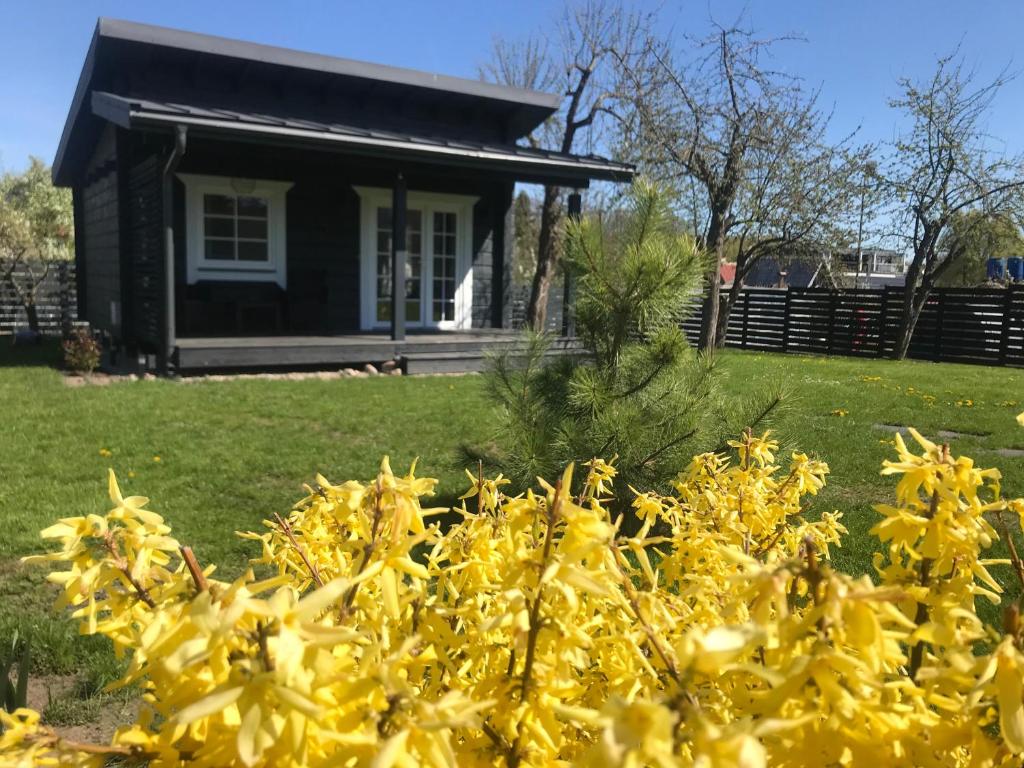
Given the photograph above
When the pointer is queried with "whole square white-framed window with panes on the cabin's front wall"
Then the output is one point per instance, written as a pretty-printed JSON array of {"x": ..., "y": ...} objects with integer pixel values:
[{"x": 236, "y": 229}]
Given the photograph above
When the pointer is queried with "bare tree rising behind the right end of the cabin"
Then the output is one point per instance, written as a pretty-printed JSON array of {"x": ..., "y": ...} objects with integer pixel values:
[{"x": 578, "y": 65}]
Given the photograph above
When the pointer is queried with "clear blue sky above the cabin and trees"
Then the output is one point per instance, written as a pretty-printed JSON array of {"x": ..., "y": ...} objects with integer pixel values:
[{"x": 856, "y": 50}]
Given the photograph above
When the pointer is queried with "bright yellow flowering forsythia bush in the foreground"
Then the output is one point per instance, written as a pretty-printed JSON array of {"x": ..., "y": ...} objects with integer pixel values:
[{"x": 533, "y": 633}]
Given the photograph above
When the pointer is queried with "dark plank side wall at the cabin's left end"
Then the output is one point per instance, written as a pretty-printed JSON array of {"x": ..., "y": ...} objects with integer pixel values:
[{"x": 100, "y": 233}]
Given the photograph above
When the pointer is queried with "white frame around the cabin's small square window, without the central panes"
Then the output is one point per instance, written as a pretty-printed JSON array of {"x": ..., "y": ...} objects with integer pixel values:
[{"x": 199, "y": 268}]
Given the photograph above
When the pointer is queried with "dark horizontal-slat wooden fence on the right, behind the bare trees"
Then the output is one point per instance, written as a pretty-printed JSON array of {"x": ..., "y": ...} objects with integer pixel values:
[{"x": 982, "y": 326}]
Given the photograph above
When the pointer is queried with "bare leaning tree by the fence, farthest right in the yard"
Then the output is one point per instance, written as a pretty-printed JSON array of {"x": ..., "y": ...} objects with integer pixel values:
[{"x": 943, "y": 168}]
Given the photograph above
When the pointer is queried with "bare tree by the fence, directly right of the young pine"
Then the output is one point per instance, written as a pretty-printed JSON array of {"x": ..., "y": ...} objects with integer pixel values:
[{"x": 750, "y": 140}]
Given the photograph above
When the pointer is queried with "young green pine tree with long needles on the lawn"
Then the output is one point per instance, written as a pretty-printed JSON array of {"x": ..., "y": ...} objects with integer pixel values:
[{"x": 645, "y": 396}]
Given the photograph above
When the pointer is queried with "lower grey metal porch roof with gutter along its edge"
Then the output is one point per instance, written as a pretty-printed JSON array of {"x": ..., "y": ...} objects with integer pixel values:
[{"x": 136, "y": 113}]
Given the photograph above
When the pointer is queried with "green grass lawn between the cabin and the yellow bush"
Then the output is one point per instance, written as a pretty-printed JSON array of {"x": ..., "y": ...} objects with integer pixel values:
[{"x": 231, "y": 454}]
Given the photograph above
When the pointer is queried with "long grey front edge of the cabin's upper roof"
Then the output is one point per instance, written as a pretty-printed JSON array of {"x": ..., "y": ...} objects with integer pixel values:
[{"x": 194, "y": 41}]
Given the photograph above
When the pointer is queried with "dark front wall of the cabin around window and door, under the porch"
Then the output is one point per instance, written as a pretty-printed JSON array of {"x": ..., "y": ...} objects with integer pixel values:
[{"x": 323, "y": 240}]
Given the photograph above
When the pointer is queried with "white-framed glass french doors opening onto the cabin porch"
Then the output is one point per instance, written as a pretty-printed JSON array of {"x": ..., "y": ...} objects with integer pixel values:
[{"x": 438, "y": 279}]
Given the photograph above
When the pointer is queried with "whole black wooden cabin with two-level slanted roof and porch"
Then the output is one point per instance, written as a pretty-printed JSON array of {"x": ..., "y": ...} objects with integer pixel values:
[{"x": 243, "y": 206}]
